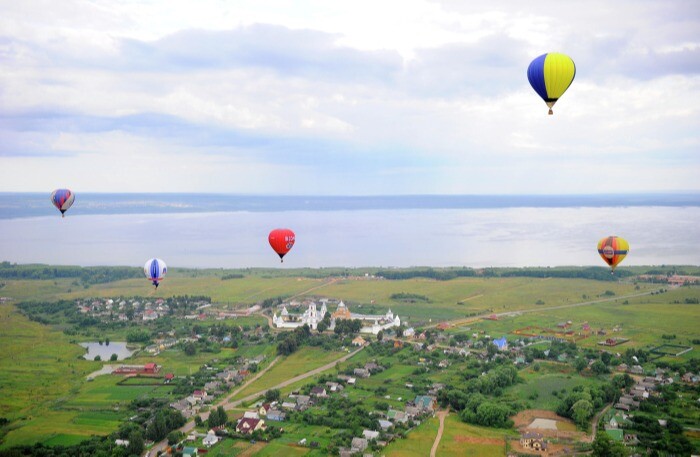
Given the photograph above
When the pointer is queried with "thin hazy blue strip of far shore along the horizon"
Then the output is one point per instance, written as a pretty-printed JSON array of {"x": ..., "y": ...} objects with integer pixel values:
[{"x": 32, "y": 204}]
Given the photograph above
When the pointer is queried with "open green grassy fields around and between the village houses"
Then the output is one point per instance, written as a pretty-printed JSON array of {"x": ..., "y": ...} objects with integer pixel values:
[{"x": 48, "y": 399}]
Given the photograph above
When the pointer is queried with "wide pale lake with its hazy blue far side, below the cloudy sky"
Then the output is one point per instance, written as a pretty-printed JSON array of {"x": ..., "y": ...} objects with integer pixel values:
[{"x": 365, "y": 231}]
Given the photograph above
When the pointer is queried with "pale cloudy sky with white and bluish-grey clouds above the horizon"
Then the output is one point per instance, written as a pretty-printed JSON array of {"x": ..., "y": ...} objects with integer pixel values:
[{"x": 346, "y": 97}]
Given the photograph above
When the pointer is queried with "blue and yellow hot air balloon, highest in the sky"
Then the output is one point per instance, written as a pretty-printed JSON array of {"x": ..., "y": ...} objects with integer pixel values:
[{"x": 550, "y": 75}]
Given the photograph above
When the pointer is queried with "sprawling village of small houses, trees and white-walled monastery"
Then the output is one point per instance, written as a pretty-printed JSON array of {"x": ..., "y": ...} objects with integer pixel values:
[{"x": 393, "y": 373}]
